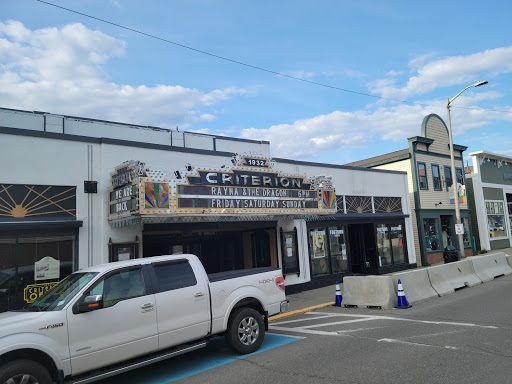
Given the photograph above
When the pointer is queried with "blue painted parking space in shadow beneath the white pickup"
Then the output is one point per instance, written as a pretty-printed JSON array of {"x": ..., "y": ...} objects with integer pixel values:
[{"x": 216, "y": 354}]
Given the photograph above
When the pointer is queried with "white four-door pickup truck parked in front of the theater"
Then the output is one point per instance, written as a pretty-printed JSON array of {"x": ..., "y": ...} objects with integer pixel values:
[{"x": 111, "y": 318}]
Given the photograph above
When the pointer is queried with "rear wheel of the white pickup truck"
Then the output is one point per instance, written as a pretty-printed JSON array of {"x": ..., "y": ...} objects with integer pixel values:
[{"x": 246, "y": 330}]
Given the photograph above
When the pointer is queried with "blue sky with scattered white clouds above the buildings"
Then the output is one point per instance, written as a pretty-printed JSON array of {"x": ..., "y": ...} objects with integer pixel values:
[{"x": 399, "y": 61}]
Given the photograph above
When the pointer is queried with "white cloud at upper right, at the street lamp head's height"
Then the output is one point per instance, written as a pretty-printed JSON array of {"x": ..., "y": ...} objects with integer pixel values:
[{"x": 454, "y": 70}]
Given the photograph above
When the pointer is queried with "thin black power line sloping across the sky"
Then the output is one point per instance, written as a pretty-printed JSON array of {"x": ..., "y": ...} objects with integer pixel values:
[{"x": 253, "y": 66}]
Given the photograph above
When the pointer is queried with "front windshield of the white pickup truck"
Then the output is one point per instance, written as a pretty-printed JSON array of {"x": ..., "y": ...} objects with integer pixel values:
[{"x": 59, "y": 295}]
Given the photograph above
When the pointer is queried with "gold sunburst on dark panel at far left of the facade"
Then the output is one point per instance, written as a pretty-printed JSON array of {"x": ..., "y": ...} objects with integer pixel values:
[{"x": 19, "y": 201}]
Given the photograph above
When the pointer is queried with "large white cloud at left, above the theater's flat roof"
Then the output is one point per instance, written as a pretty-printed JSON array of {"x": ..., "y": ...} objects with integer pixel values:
[{"x": 60, "y": 70}]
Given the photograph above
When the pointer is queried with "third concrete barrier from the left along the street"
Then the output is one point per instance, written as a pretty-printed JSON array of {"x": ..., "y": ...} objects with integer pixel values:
[{"x": 447, "y": 278}]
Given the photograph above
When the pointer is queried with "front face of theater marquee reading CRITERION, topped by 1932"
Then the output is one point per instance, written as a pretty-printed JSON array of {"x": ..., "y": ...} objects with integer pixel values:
[{"x": 250, "y": 185}]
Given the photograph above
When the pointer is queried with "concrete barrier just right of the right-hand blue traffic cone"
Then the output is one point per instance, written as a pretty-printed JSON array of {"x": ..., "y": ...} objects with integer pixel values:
[{"x": 416, "y": 284}]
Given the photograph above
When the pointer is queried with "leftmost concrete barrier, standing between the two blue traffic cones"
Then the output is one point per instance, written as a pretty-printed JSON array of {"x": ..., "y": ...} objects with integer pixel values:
[{"x": 369, "y": 291}]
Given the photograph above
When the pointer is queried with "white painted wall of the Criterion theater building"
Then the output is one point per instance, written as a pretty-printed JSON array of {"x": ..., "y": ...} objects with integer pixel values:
[{"x": 53, "y": 150}]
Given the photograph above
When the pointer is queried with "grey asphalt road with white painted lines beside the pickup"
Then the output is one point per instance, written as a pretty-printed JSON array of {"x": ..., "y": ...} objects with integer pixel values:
[{"x": 465, "y": 337}]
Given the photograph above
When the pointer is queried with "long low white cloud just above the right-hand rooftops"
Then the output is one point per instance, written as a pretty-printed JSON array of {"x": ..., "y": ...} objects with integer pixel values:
[{"x": 338, "y": 131}]
